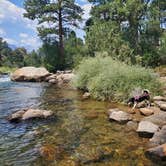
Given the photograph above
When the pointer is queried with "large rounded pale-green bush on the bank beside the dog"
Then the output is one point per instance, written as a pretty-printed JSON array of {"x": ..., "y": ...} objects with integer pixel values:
[{"x": 107, "y": 79}]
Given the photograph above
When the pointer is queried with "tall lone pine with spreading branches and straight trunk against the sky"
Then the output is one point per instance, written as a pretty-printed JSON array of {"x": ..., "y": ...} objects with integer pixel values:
[{"x": 56, "y": 14}]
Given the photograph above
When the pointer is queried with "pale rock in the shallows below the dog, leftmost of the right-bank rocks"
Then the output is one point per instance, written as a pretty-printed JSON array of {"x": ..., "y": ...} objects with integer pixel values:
[{"x": 119, "y": 116}]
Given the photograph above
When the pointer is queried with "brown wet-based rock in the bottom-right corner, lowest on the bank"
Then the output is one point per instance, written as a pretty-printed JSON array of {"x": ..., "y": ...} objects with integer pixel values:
[{"x": 158, "y": 152}]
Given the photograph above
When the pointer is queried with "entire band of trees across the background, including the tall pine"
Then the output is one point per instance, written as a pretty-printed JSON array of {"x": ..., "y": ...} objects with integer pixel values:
[{"x": 132, "y": 31}]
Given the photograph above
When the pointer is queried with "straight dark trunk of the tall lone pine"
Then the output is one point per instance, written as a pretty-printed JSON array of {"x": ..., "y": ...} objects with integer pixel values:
[{"x": 61, "y": 46}]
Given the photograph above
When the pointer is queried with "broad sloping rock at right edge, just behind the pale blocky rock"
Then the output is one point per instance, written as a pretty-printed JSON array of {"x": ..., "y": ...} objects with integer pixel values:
[{"x": 158, "y": 119}]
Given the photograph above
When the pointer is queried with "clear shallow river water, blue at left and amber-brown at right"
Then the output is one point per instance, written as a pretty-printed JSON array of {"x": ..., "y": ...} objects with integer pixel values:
[{"x": 78, "y": 134}]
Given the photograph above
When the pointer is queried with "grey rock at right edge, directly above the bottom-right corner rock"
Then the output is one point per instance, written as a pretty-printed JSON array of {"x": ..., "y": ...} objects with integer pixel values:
[{"x": 159, "y": 137}]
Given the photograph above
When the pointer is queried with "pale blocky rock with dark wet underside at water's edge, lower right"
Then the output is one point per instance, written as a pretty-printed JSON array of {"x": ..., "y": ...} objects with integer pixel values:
[{"x": 147, "y": 129}]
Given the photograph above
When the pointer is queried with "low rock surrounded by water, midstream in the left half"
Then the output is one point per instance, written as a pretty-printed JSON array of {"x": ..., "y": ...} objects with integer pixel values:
[{"x": 29, "y": 114}]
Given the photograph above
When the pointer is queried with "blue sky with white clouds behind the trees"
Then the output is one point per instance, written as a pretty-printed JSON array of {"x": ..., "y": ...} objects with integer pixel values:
[{"x": 20, "y": 31}]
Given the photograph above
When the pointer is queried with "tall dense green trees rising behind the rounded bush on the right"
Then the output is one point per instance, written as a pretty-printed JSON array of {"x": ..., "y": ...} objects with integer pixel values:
[{"x": 128, "y": 30}]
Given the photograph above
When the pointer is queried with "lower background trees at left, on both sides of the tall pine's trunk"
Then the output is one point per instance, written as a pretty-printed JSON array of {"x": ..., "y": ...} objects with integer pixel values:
[{"x": 46, "y": 55}]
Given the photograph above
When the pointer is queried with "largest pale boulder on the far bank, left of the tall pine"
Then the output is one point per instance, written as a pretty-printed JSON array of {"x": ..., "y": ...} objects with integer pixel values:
[{"x": 30, "y": 74}]
